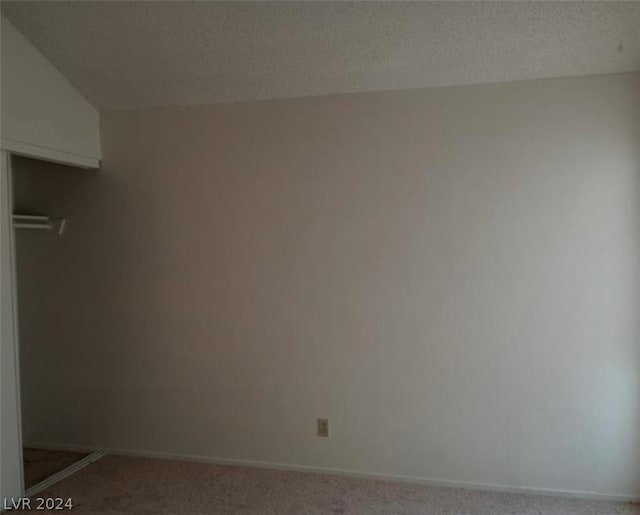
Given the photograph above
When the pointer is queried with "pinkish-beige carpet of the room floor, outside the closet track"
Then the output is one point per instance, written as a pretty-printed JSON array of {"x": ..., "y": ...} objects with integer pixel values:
[{"x": 117, "y": 484}]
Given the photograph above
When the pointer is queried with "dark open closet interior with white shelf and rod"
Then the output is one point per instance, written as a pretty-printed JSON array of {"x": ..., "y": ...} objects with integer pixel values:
[{"x": 51, "y": 351}]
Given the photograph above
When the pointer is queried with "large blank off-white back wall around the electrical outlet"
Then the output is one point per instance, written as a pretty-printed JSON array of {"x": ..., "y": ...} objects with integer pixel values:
[{"x": 449, "y": 275}]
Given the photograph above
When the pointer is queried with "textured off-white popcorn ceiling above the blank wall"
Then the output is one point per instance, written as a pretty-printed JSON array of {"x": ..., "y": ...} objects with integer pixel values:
[{"x": 145, "y": 54}]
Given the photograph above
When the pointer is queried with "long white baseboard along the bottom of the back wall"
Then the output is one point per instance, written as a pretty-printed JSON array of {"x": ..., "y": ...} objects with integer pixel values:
[{"x": 576, "y": 494}]
